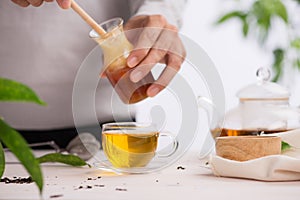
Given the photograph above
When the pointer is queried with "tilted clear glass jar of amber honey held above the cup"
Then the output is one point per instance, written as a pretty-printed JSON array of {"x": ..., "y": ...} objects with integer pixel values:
[{"x": 116, "y": 49}]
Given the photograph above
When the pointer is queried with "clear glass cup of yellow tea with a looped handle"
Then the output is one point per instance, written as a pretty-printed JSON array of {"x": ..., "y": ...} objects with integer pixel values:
[{"x": 132, "y": 145}]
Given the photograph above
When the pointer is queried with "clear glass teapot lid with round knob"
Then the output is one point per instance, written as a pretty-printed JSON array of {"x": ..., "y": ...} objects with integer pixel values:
[{"x": 263, "y": 89}]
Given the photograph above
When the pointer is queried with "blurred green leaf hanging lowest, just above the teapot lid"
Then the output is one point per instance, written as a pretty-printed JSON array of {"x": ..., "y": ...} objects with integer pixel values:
[{"x": 278, "y": 55}]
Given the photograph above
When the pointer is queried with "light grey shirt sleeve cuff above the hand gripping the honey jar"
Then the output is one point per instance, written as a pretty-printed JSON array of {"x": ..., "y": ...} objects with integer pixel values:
[{"x": 172, "y": 10}]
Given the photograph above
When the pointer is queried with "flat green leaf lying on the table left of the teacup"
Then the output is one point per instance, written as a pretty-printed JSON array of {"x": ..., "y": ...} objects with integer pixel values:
[{"x": 63, "y": 158}]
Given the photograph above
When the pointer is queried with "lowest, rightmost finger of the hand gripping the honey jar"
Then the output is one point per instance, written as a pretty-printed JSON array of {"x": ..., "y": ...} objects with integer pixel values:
[{"x": 173, "y": 66}]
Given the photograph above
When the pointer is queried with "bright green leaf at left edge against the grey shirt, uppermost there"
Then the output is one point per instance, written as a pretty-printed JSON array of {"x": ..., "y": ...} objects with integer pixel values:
[{"x": 14, "y": 91}]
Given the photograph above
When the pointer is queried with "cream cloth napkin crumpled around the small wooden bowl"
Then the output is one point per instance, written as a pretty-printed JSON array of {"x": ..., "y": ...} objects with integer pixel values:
[{"x": 285, "y": 167}]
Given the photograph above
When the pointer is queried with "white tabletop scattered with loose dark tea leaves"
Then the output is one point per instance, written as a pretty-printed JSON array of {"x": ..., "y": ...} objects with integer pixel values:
[{"x": 194, "y": 182}]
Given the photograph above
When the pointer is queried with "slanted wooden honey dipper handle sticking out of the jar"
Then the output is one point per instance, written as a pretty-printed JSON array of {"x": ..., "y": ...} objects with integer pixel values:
[{"x": 88, "y": 19}]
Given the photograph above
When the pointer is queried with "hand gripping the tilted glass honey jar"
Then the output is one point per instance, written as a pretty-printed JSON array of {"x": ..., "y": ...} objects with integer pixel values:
[{"x": 156, "y": 41}]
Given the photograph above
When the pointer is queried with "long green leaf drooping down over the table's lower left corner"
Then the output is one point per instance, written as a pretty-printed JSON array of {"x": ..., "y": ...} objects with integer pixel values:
[{"x": 18, "y": 146}]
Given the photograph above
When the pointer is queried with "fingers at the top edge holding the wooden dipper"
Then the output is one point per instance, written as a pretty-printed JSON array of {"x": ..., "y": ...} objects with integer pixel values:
[{"x": 65, "y": 4}]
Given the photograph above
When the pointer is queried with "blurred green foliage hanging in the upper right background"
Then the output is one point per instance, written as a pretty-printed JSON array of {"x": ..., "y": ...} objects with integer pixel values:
[{"x": 258, "y": 19}]
